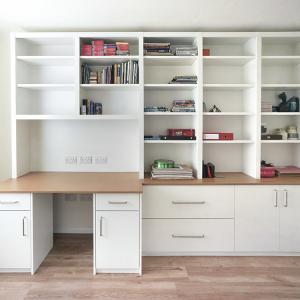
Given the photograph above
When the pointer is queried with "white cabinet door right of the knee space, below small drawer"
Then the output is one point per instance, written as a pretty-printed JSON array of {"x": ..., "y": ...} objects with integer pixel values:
[{"x": 117, "y": 241}]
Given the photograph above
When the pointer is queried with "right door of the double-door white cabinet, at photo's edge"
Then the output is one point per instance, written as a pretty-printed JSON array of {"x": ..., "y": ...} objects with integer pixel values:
[{"x": 290, "y": 219}]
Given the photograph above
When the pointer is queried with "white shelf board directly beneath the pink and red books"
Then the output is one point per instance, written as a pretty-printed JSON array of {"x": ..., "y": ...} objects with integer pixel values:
[{"x": 107, "y": 60}]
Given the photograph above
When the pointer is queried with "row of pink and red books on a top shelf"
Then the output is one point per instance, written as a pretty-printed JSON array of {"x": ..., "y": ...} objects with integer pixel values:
[{"x": 99, "y": 48}]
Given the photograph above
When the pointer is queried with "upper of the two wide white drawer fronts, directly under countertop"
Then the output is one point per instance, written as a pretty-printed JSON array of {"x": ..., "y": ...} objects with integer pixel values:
[{"x": 188, "y": 202}]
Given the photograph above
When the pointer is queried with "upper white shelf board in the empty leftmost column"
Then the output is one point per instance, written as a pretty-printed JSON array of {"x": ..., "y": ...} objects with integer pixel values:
[{"x": 48, "y": 60}]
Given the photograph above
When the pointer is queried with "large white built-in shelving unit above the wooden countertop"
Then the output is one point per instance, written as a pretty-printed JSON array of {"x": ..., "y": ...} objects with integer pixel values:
[{"x": 48, "y": 132}]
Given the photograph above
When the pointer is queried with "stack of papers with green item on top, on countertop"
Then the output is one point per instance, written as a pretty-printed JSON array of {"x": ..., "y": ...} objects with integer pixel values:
[{"x": 165, "y": 169}]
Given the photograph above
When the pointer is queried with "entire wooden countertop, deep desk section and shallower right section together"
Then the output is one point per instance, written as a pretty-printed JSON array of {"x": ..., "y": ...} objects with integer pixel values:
[{"x": 83, "y": 183}]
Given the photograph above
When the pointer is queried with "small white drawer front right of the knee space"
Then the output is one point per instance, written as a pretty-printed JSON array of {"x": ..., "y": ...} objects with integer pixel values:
[{"x": 117, "y": 201}]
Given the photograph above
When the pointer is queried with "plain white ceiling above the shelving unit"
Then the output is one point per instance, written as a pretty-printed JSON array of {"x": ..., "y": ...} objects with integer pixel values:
[{"x": 151, "y": 15}]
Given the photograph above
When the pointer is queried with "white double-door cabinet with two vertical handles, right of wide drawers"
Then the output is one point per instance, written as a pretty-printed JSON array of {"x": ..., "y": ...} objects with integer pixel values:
[{"x": 267, "y": 218}]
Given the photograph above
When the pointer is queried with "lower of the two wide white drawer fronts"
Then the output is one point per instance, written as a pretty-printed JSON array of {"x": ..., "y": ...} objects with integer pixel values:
[{"x": 184, "y": 236}]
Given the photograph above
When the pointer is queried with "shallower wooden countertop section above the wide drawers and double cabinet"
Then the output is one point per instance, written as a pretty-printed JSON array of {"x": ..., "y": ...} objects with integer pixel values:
[{"x": 225, "y": 179}]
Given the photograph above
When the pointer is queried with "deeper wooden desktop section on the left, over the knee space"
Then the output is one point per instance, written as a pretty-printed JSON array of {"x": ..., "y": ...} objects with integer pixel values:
[{"x": 69, "y": 182}]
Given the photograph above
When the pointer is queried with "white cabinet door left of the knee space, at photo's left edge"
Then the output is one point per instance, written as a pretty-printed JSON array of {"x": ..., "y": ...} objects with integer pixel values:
[{"x": 15, "y": 239}]
